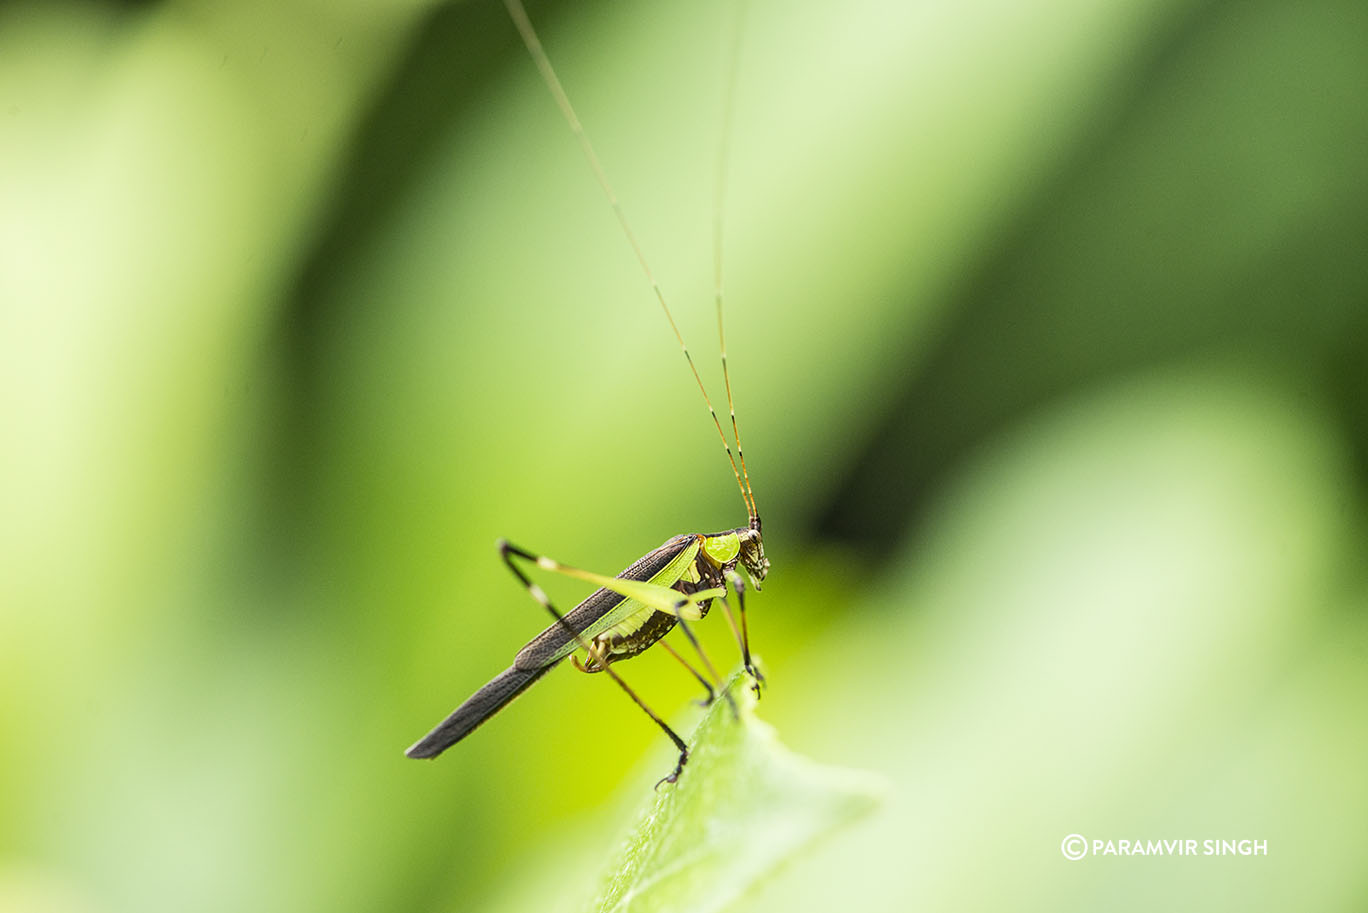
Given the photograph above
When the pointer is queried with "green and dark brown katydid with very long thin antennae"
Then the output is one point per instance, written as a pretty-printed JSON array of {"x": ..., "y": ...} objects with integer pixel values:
[{"x": 670, "y": 587}]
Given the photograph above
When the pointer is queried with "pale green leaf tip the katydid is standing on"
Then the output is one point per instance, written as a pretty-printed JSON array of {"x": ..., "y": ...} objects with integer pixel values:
[{"x": 744, "y": 807}]
